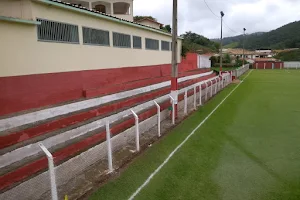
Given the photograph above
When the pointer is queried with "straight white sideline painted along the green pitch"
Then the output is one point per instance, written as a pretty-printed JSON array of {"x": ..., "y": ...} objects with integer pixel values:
[{"x": 181, "y": 144}]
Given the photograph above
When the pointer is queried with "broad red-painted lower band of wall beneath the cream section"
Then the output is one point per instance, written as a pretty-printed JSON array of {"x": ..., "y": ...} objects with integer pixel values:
[{"x": 19, "y": 93}]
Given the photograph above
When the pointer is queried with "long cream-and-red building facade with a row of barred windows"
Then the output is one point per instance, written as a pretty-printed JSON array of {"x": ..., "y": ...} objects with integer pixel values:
[{"x": 52, "y": 42}]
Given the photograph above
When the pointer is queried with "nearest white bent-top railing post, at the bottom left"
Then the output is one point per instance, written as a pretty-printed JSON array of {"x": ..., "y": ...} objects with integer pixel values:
[{"x": 51, "y": 172}]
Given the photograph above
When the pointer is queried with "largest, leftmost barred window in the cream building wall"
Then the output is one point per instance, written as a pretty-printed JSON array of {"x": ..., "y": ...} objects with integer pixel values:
[{"x": 57, "y": 32}]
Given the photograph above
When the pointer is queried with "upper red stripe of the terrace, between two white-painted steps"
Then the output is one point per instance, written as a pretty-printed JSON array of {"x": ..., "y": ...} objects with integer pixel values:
[{"x": 21, "y": 136}]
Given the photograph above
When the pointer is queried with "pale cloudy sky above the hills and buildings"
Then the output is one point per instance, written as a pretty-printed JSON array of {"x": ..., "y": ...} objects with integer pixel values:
[{"x": 195, "y": 16}]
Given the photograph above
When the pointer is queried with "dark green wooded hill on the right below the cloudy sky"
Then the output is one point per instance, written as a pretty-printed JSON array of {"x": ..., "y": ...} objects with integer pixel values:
[{"x": 286, "y": 36}]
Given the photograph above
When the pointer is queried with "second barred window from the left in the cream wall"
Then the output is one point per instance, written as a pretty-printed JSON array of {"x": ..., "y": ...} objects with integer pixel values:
[{"x": 95, "y": 36}]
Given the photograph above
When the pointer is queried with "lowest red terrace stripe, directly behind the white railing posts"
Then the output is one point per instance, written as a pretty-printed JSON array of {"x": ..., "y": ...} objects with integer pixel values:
[{"x": 30, "y": 169}]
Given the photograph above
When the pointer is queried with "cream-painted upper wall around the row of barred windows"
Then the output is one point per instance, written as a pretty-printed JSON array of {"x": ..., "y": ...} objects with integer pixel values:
[{"x": 22, "y": 54}]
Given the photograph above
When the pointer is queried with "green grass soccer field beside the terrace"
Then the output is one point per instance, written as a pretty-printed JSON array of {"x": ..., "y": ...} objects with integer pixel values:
[{"x": 248, "y": 148}]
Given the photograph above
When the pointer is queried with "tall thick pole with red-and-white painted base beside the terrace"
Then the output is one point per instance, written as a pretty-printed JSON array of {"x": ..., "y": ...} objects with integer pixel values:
[{"x": 174, "y": 77}]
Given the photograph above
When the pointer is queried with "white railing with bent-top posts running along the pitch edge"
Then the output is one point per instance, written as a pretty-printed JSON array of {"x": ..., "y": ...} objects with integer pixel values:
[{"x": 212, "y": 89}]
